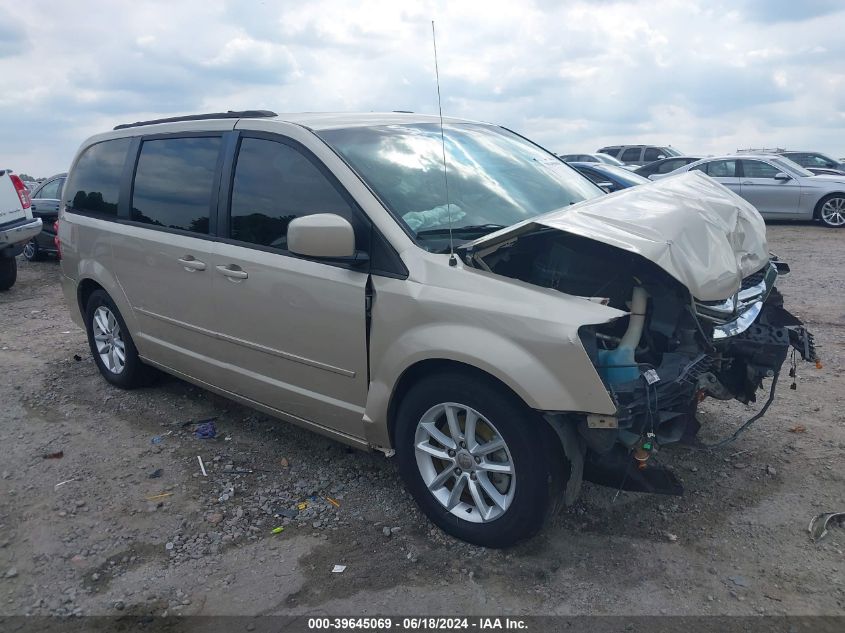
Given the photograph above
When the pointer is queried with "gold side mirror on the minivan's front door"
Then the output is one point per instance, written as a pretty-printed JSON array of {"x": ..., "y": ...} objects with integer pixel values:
[{"x": 324, "y": 236}]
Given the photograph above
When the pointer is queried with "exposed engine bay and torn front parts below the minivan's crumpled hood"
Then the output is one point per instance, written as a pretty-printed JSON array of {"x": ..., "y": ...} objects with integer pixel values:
[{"x": 661, "y": 360}]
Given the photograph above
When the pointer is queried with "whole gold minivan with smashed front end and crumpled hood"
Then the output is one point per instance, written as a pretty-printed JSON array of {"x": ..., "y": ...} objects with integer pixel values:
[{"x": 447, "y": 291}]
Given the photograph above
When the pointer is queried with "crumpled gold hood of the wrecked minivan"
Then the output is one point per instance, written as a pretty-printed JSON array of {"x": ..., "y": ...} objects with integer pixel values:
[{"x": 698, "y": 231}]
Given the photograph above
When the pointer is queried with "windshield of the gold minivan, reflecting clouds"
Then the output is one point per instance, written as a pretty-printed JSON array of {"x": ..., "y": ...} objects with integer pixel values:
[{"x": 495, "y": 177}]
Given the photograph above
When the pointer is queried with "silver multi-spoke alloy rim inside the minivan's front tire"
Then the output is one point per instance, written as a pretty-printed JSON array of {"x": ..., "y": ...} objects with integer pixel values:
[{"x": 464, "y": 462}]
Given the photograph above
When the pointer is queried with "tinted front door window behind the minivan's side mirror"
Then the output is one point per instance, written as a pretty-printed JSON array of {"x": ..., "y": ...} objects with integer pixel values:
[{"x": 275, "y": 183}]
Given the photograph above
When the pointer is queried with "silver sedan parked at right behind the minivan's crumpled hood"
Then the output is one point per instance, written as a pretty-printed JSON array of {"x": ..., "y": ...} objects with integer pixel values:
[{"x": 778, "y": 187}]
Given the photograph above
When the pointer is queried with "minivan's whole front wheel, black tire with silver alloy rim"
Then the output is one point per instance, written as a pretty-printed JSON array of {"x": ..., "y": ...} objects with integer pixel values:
[{"x": 482, "y": 465}]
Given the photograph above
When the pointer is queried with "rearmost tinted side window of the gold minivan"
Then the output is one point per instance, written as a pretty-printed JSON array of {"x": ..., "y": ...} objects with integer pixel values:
[{"x": 94, "y": 184}]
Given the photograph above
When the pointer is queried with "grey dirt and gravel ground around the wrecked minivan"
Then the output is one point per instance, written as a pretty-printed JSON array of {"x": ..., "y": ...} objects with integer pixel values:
[{"x": 736, "y": 543}]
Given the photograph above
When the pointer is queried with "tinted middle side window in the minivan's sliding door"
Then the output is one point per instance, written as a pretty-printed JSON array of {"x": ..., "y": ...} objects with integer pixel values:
[{"x": 173, "y": 183}]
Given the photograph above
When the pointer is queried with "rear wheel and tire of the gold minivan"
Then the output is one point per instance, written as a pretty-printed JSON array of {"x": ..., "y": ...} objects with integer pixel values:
[{"x": 111, "y": 344}]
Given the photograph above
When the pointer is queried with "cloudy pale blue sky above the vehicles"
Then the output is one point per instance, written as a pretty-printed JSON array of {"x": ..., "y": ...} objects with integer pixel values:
[{"x": 706, "y": 76}]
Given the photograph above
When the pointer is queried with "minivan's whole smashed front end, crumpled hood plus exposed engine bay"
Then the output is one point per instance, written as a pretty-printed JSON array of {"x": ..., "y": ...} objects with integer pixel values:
[{"x": 673, "y": 349}]
